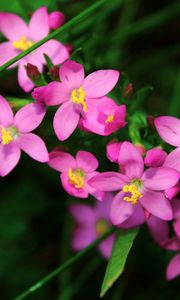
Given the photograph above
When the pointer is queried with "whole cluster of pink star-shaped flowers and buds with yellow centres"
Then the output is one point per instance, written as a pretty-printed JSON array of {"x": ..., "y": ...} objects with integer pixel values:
[{"x": 145, "y": 187}]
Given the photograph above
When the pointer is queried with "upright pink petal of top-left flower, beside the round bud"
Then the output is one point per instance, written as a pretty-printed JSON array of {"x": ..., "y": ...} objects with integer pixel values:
[{"x": 39, "y": 24}]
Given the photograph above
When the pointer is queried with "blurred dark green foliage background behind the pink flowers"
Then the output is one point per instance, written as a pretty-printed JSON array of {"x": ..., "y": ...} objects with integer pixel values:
[{"x": 142, "y": 39}]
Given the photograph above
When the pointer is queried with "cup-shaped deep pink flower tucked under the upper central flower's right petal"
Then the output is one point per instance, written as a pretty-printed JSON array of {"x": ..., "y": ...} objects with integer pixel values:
[{"x": 104, "y": 117}]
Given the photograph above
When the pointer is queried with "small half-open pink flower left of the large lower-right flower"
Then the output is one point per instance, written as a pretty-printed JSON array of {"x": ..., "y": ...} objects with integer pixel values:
[{"x": 75, "y": 172}]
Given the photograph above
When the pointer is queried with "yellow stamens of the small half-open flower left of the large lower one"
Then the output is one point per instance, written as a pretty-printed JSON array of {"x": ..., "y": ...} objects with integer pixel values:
[{"x": 76, "y": 177}]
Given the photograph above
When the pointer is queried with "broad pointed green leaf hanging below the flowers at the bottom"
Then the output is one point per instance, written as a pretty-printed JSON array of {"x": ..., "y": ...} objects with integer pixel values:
[{"x": 121, "y": 249}]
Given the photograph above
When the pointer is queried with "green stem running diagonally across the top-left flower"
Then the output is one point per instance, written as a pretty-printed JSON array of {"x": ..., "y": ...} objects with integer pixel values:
[{"x": 65, "y": 27}]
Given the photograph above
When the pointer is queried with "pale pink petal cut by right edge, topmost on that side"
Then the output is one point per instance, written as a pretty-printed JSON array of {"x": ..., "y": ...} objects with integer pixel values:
[{"x": 169, "y": 129}]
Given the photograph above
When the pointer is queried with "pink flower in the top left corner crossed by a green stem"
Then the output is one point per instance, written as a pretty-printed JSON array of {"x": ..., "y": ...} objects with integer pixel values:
[{"x": 21, "y": 37}]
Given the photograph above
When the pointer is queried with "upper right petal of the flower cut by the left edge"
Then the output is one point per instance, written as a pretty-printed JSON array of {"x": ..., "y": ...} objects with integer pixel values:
[{"x": 29, "y": 117}]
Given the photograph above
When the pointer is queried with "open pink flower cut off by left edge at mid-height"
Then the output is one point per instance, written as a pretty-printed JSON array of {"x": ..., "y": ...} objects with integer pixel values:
[{"x": 15, "y": 135}]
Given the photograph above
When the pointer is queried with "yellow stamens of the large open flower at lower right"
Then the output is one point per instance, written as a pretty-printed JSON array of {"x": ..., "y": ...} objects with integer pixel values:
[{"x": 133, "y": 190}]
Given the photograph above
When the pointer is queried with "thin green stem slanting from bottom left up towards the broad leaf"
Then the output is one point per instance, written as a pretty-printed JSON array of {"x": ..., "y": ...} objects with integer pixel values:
[{"x": 64, "y": 266}]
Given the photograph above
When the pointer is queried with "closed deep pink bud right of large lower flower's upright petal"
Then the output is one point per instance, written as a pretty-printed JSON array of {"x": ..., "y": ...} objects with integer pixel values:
[{"x": 155, "y": 157}]
